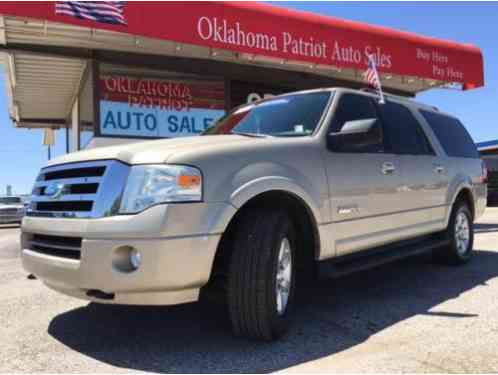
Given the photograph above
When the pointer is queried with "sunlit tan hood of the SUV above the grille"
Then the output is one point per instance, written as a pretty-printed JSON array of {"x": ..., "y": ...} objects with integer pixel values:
[{"x": 153, "y": 152}]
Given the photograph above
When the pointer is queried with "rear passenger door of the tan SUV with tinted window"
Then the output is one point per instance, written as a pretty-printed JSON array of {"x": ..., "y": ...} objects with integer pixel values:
[{"x": 423, "y": 178}]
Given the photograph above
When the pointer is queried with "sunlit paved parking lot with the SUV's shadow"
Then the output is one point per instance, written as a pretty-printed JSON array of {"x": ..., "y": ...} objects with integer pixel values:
[{"x": 410, "y": 316}]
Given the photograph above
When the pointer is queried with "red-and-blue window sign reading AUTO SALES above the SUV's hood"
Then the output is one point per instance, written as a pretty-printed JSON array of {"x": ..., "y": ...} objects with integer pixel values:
[{"x": 158, "y": 108}]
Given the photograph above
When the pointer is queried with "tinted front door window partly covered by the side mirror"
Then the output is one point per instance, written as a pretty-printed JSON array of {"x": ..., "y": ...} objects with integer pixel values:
[{"x": 353, "y": 107}]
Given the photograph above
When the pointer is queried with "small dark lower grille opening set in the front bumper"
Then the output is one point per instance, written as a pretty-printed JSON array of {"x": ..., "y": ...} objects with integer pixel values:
[{"x": 58, "y": 246}]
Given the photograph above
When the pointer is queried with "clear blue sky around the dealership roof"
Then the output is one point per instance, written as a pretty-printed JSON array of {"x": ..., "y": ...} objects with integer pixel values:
[{"x": 22, "y": 153}]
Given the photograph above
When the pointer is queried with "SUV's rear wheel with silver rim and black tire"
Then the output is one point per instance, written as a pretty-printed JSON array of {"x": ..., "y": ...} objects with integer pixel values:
[{"x": 460, "y": 233}]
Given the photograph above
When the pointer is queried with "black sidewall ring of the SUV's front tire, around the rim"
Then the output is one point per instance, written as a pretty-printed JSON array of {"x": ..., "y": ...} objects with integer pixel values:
[{"x": 281, "y": 323}]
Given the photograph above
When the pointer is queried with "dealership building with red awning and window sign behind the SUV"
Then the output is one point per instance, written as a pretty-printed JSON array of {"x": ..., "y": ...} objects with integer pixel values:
[{"x": 135, "y": 70}]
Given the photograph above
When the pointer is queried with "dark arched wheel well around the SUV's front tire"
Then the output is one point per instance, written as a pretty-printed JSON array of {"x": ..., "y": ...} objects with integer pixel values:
[{"x": 304, "y": 223}]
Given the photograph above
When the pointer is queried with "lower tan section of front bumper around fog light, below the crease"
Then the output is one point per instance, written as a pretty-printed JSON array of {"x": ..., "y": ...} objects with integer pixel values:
[{"x": 172, "y": 270}]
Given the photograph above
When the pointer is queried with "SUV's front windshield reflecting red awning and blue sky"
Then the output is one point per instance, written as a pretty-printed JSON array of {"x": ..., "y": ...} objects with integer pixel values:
[{"x": 286, "y": 116}]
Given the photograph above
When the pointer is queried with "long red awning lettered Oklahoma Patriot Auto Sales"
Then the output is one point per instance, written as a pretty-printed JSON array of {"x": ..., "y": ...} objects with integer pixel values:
[{"x": 266, "y": 30}]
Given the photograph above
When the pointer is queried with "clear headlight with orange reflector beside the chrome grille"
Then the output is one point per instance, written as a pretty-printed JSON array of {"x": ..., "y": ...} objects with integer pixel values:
[{"x": 148, "y": 185}]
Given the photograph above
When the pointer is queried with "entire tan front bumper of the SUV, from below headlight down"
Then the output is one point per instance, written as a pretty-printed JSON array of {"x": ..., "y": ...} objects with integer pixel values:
[{"x": 177, "y": 242}]
